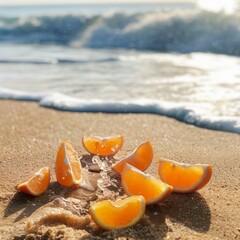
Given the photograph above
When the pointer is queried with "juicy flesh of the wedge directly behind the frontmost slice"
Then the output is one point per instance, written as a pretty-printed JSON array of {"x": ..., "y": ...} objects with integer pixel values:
[{"x": 138, "y": 184}]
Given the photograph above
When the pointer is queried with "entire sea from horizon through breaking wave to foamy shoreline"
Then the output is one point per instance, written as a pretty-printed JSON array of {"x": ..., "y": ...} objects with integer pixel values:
[{"x": 168, "y": 59}]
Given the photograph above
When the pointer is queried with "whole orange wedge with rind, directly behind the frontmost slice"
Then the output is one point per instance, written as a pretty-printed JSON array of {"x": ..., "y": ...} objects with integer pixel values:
[{"x": 135, "y": 182}]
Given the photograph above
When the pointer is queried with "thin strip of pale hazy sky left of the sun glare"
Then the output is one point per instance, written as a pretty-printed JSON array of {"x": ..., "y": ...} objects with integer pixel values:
[{"x": 20, "y": 2}]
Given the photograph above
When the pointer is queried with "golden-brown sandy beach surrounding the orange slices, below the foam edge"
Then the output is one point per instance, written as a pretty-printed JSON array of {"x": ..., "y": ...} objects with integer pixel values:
[{"x": 29, "y": 140}]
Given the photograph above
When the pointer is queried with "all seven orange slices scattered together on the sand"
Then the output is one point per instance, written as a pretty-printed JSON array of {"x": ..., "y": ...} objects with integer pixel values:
[{"x": 141, "y": 188}]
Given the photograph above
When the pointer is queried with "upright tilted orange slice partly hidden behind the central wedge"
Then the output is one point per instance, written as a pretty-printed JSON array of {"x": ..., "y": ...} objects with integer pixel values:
[{"x": 140, "y": 158}]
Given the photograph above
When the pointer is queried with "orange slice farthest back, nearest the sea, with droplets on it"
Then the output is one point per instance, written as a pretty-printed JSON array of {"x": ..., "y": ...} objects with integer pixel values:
[{"x": 107, "y": 146}]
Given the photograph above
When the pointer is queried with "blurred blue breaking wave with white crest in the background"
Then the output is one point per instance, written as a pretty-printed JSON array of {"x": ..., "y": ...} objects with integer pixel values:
[{"x": 174, "y": 31}]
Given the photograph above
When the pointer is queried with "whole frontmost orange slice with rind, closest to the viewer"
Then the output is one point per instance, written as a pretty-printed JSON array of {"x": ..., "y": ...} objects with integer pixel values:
[{"x": 120, "y": 214}]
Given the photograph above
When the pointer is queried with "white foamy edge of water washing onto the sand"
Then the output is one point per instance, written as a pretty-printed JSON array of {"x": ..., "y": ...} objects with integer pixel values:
[{"x": 195, "y": 114}]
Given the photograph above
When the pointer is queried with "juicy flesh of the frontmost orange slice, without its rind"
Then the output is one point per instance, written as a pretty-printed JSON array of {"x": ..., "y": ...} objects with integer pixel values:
[{"x": 118, "y": 215}]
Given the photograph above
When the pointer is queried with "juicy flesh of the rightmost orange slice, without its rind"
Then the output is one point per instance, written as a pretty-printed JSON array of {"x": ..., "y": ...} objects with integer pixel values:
[{"x": 180, "y": 176}]
